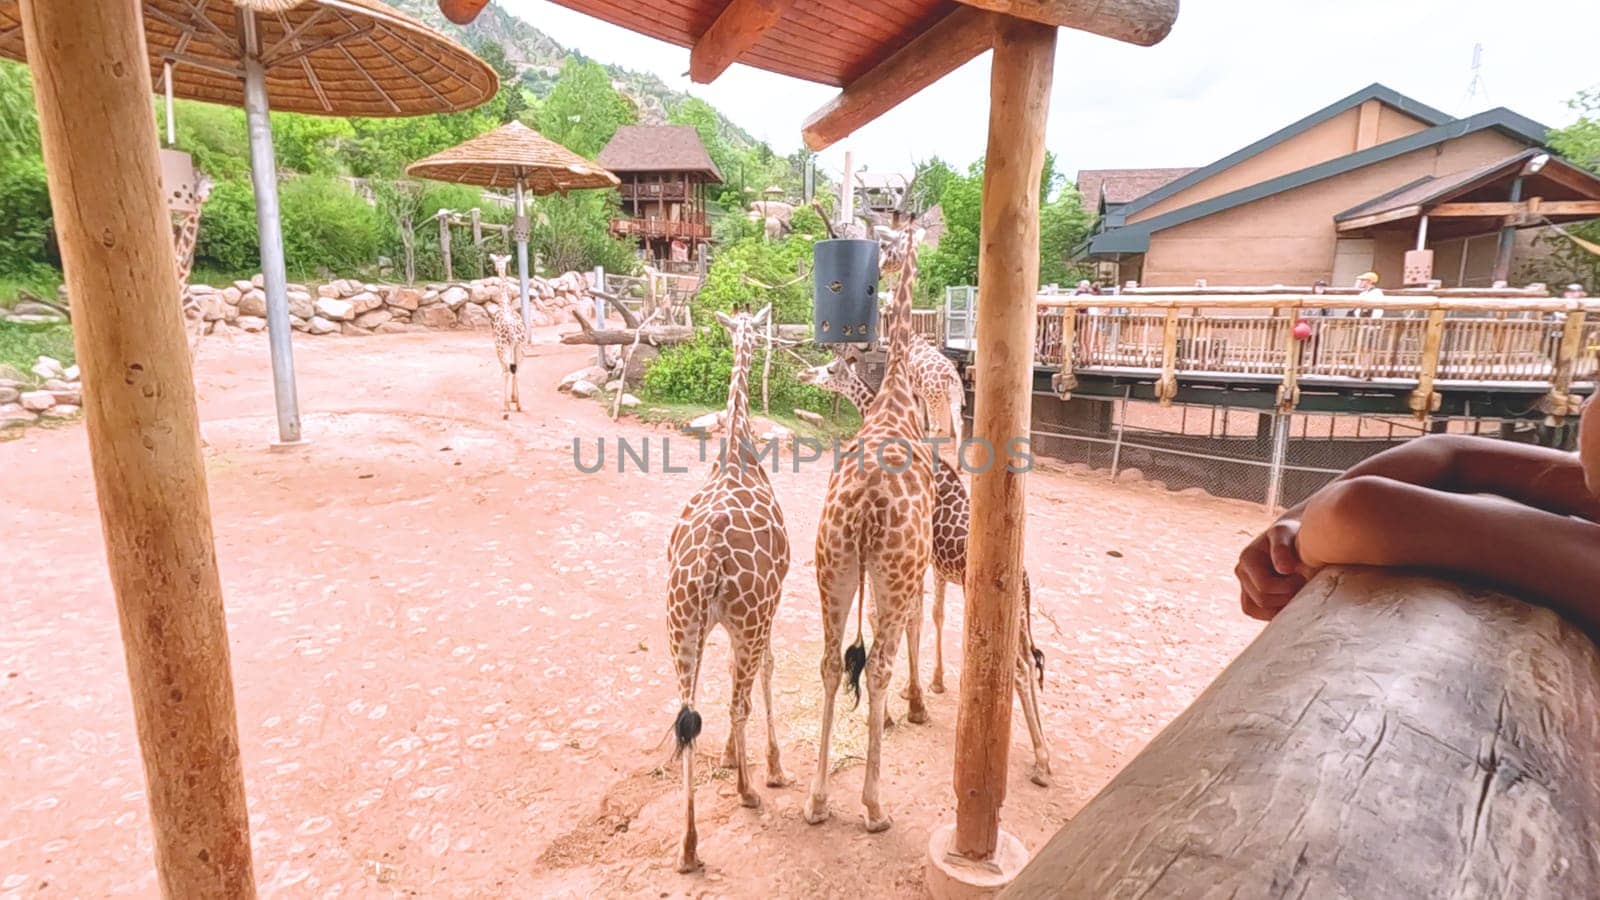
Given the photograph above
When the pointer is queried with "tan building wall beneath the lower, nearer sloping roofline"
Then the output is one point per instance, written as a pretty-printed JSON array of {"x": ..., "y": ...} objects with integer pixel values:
[{"x": 1290, "y": 238}]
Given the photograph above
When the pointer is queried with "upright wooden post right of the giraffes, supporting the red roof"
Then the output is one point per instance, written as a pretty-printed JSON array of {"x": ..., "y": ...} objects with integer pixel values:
[{"x": 1009, "y": 279}]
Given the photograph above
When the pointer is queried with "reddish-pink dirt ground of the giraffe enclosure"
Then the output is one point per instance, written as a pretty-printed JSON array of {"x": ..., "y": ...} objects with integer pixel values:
[{"x": 449, "y": 651}]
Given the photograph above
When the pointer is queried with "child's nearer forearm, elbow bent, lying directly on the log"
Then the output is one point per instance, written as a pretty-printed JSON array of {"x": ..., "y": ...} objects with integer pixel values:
[{"x": 1543, "y": 556}]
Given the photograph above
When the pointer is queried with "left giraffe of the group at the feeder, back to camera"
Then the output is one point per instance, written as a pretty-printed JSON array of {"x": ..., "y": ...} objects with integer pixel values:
[{"x": 729, "y": 556}]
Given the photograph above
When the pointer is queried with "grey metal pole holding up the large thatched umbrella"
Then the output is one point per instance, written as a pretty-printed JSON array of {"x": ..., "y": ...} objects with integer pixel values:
[{"x": 265, "y": 179}]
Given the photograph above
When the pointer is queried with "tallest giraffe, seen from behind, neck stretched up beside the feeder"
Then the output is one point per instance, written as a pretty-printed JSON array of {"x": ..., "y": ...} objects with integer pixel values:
[{"x": 876, "y": 526}]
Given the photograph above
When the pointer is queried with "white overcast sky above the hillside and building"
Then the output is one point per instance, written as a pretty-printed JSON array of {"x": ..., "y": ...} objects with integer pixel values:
[{"x": 1233, "y": 71}]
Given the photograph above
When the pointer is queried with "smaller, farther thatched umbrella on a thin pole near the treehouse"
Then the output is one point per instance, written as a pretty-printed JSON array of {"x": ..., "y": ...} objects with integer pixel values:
[{"x": 516, "y": 158}]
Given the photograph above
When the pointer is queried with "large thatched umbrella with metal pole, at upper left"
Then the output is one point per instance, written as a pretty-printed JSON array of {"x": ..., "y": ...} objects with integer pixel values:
[{"x": 316, "y": 57}]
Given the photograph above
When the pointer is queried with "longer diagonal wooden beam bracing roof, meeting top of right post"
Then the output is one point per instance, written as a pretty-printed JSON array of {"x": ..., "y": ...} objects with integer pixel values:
[{"x": 930, "y": 57}]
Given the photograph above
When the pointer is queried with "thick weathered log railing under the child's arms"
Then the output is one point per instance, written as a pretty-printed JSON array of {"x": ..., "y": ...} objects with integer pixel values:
[{"x": 1388, "y": 736}]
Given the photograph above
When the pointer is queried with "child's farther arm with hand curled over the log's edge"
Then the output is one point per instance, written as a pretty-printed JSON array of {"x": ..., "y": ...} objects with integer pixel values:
[{"x": 1271, "y": 573}]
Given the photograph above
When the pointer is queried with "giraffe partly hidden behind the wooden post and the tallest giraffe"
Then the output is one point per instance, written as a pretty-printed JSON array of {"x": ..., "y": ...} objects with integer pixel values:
[{"x": 951, "y": 524}]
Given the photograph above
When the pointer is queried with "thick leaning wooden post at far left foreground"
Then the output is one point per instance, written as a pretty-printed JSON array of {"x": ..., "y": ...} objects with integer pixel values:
[{"x": 90, "y": 82}]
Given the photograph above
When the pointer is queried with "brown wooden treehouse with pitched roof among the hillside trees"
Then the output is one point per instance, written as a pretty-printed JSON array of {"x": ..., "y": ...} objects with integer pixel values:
[{"x": 665, "y": 172}]
